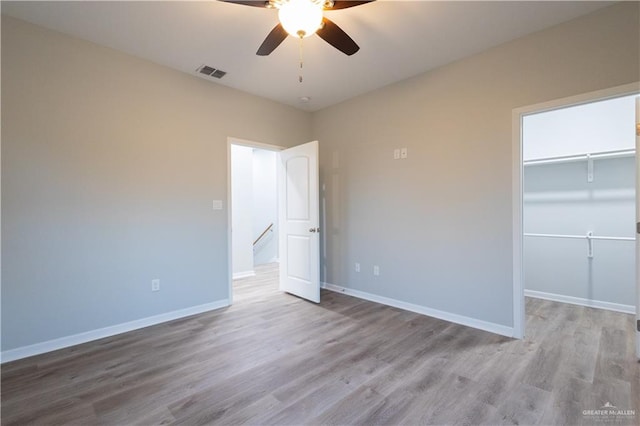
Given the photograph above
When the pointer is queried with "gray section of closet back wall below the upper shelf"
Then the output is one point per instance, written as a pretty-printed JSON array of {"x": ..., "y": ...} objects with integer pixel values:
[{"x": 559, "y": 200}]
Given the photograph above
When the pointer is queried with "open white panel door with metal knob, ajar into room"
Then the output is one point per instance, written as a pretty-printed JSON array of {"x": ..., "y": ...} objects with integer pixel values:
[{"x": 298, "y": 195}]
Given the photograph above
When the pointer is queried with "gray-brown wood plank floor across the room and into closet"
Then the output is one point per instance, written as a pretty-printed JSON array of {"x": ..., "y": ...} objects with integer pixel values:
[{"x": 272, "y": 358}]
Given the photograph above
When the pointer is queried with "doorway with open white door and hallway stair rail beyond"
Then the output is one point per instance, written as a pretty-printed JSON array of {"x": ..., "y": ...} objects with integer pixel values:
[{"x": 295, "y": 225}]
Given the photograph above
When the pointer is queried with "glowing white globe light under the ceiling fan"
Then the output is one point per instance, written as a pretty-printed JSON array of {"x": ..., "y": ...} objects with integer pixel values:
[{"x": 300, "y": 18}]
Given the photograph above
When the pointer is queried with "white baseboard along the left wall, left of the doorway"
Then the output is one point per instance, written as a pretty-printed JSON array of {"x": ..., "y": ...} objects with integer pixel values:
[{"x": 88, "y": 336}]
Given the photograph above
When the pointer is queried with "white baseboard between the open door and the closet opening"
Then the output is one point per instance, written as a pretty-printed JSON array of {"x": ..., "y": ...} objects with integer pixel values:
[{"x": 446, "y": 316}]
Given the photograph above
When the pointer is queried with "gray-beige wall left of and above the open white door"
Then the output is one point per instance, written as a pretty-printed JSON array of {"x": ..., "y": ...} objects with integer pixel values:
[{"x": 109, "y": 168}]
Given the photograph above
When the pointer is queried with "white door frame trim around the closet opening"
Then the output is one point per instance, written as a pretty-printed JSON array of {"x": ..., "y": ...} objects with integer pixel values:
[{"x": 517, "y": 180}]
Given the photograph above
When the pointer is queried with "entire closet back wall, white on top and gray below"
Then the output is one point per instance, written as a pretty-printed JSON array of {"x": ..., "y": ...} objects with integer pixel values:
[{"x": 561, "y": 199}]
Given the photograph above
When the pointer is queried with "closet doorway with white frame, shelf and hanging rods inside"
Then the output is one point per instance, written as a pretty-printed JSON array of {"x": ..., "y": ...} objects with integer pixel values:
[{"x": 591, "y": 251}]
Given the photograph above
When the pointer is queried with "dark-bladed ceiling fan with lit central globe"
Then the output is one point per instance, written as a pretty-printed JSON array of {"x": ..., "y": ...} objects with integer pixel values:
[{"x": 302, "y": 18}]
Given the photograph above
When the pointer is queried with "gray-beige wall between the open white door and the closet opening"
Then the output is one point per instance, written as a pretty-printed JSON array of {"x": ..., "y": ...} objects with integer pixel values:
[{"x": 439, "y": 223}]
